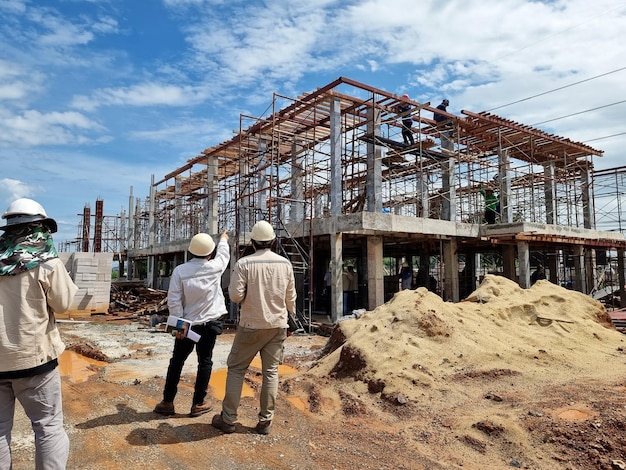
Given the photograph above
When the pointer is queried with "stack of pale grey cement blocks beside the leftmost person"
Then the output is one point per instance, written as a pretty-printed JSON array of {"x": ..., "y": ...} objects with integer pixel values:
[{"x": 91, "y": 273}]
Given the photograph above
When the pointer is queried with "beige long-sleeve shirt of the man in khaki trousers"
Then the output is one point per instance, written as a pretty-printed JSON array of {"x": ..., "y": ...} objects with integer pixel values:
[{"x": 264, "y": 284}]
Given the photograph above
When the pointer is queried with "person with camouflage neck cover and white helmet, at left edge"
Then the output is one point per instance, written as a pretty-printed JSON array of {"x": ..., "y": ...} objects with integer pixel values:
[{"x": 34, "y": 285}]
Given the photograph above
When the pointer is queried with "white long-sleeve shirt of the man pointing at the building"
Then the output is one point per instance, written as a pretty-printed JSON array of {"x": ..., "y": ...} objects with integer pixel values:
[{"x": 195, "y": 291}]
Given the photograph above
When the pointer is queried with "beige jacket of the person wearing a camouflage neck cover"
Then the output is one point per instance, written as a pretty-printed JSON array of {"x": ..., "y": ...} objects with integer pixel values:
[{"x": 28, "y": 301}]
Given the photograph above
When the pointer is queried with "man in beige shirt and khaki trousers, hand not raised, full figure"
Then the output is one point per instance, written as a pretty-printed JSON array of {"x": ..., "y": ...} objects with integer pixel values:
[{"x": 263, "y": 283}]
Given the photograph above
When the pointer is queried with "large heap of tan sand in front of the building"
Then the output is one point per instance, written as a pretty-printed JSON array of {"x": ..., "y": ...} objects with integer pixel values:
[{"x": 418, "y": 344}]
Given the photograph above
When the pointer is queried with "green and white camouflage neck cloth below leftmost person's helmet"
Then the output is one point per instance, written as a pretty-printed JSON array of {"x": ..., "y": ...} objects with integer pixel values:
[{"x": 25, "y": 247}]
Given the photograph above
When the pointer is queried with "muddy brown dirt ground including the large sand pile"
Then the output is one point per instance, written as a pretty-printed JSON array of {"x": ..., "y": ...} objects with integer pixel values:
[{"x": 511, "y": 378}]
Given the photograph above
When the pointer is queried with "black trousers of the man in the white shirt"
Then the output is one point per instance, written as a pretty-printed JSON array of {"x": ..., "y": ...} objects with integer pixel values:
[{"x": 182, "y": 349}]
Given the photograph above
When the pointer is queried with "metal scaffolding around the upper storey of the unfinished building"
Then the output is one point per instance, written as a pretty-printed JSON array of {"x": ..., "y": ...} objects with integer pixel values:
[{"x": 311, "y": 163}]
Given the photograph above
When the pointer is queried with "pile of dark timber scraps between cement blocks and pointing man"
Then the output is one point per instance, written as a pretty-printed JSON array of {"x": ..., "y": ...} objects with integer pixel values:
[{"x": 133, "y": 298}]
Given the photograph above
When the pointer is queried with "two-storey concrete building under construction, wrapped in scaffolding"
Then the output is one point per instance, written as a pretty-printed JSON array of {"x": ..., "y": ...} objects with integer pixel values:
[{"x": 331, "y": 172}]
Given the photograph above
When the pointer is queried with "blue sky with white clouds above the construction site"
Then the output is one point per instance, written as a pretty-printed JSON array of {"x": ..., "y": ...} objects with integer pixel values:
[{"x": 98, "y": 95}]
